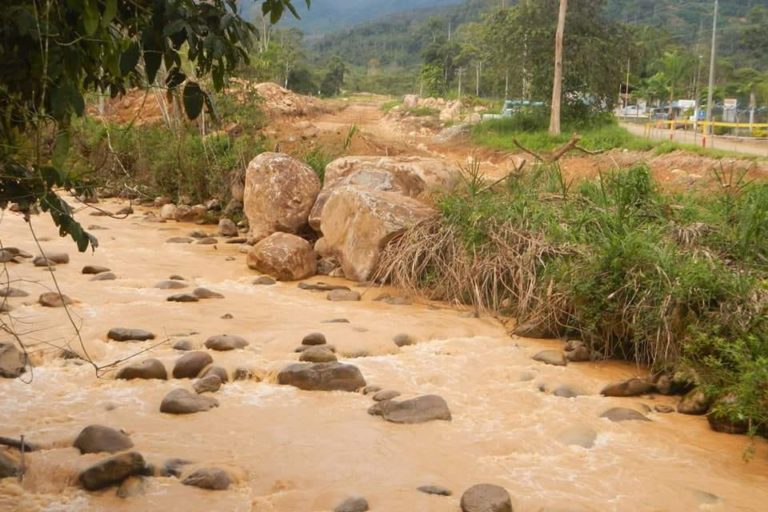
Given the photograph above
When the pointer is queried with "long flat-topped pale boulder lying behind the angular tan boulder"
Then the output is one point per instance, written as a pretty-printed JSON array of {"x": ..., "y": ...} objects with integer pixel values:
[{"x": 412, "y": 176}]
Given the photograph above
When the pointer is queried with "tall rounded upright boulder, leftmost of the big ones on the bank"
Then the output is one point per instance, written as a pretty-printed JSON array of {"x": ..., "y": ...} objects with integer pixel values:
[{"x": 279, "y": 193}]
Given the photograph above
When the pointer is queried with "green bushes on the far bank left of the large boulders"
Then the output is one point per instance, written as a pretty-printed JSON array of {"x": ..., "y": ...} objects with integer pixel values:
[{"x": 157, "y": 159}]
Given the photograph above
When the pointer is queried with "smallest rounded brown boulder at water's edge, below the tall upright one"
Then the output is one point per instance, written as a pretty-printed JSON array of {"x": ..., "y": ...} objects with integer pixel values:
[{"x": 283, "y": 256}]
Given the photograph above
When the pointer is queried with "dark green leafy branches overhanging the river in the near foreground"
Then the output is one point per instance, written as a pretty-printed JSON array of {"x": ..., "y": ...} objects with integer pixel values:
[{"x": 55, "y": 52}]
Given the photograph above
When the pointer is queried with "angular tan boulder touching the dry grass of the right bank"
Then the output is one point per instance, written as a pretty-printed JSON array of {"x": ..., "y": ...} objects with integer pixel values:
[{"x": 357, "y": 224}]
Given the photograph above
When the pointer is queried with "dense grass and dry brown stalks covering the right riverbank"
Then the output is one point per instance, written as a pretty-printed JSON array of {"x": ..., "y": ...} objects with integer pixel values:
[{"x": 675, "y": 282}]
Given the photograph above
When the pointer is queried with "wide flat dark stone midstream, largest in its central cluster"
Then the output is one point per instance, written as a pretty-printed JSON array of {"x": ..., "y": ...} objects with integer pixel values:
[{"x": 322, "y": 377}]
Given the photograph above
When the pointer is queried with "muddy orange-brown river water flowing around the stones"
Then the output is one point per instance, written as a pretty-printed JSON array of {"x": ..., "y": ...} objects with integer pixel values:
[{"x": 295, "y": 450}]
